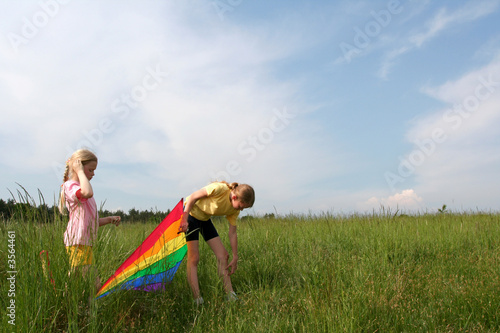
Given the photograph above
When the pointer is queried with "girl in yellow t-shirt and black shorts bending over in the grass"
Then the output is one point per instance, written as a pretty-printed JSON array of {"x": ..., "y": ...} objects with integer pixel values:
[{"x": 216, "y": 199}]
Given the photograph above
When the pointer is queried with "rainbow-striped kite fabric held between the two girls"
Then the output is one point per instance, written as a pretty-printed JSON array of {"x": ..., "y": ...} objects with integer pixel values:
[{"x": 155, "y": 261}]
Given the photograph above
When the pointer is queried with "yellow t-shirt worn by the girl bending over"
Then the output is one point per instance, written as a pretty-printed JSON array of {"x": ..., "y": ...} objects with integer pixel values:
[{"x": 217, "y": 203}]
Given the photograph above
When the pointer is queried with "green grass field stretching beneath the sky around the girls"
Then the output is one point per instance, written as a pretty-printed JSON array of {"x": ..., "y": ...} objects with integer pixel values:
[{"x": 373, "y": 273}]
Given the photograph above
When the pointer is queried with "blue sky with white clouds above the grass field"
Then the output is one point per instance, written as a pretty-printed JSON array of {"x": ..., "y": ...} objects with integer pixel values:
[{"x": 322, "y": 106}]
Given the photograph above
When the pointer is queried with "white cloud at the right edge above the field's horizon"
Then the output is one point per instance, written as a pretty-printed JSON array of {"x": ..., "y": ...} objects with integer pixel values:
[{"x": 462, "y": 161}]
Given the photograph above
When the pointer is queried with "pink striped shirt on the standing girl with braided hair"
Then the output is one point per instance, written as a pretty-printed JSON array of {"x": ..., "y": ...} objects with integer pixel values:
[{"x": 83, "y": 216}]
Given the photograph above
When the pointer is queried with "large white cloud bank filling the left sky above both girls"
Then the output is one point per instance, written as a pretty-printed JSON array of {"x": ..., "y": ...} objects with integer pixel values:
[{"x": 68, "y": 87}]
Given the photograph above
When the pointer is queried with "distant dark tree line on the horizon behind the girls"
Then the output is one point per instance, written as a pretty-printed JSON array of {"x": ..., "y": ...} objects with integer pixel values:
[{"x": 28, "y": 210}]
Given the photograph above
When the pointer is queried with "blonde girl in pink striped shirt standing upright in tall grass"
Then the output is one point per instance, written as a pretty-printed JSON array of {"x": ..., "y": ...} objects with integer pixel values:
[{"x": 77, "y": 196}]
